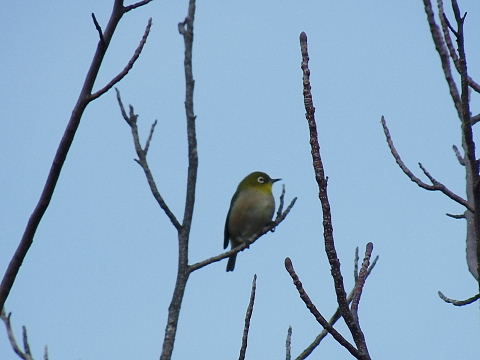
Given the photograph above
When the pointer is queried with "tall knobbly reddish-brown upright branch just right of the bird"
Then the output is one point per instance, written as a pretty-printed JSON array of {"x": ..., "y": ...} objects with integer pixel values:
[{"x": 330, "y": 250}]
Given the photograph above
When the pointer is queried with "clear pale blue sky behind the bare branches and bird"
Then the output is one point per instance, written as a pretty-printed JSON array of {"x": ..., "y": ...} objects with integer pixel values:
[{"x": 98, "y": 279}]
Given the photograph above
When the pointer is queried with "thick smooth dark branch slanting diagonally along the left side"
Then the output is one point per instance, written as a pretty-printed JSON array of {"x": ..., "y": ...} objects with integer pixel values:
[{"x": 83, "y": 100}]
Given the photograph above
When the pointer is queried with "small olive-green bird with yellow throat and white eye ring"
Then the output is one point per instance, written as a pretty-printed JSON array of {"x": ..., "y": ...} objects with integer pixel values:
[{"x": 251, "y": 209}]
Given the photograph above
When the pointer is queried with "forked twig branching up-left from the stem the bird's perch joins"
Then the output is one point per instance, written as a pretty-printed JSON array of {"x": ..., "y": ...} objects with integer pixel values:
[{"x": 131, "y": 120}]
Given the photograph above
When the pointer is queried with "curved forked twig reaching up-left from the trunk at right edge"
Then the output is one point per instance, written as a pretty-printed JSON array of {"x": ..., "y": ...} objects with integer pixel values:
[{"x": 436, "y": 185}]
